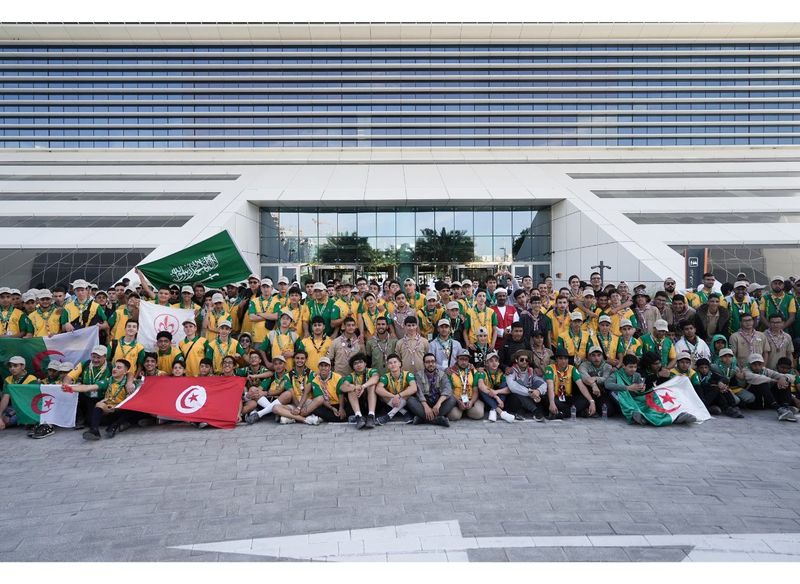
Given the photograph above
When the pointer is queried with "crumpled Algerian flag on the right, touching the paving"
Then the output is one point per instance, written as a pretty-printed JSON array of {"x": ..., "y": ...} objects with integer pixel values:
[{"x": 665, "y": 402}]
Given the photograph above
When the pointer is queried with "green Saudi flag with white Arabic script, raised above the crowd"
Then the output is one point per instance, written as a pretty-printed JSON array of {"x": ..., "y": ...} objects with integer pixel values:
[{"x": 215, "y": 262}]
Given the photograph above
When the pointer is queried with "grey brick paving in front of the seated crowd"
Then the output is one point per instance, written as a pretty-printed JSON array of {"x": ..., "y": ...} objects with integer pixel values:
[{"x": 137, "y": 496}]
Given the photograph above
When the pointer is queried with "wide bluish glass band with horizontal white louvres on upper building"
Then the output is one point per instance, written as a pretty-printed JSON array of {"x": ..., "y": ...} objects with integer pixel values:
[{"x": 461, "y": 95}]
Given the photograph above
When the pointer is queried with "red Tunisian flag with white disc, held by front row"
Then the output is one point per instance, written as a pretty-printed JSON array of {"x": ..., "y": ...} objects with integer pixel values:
[{"x": 214, "y": 400}]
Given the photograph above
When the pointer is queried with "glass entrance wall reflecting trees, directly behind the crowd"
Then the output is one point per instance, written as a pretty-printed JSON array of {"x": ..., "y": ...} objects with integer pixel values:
[{"x": 384, "y": 236}]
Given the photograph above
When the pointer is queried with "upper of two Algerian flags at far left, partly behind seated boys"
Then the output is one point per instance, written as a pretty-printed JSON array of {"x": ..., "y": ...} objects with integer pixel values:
[{"x": 38, "y": 351}]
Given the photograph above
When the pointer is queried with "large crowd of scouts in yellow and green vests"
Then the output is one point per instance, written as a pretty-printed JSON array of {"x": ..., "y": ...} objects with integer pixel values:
[{"x": 370, "y": 353}]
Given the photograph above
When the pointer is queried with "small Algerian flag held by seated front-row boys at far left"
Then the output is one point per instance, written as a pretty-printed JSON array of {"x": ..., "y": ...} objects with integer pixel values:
[{"x": 43, "y": 404}]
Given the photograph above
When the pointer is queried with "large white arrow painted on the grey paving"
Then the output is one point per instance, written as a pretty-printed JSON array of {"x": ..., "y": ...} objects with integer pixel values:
[{"x": 441, "y": 541}]
